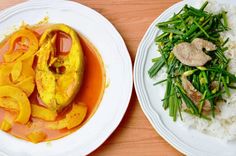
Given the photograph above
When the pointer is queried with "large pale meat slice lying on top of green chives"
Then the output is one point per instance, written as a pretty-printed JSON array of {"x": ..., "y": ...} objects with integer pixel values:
[{"x": 191, "y": 54}]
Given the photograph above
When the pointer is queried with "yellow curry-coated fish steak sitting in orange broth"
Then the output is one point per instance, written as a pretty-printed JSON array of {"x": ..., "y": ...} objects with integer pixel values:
[{"x": 58, "y": 88}]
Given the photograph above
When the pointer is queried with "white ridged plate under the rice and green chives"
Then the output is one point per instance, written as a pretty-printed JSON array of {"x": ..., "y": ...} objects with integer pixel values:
[{"x": 188, "y": 141}]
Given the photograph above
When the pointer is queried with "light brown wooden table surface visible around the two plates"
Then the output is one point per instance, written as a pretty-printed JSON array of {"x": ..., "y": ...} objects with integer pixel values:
[{"x": 134, "y": 135}]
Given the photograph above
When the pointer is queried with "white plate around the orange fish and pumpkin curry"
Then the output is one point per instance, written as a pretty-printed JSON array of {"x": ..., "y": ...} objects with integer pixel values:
[{"x": 118, "y": 70}]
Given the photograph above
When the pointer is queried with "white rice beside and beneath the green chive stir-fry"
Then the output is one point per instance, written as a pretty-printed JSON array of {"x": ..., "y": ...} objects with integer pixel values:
[{"x": 224, "y": 124}]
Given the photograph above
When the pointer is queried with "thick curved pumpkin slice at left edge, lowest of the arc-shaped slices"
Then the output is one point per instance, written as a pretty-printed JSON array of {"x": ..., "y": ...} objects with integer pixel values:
[{"x": 22, "y": 101}]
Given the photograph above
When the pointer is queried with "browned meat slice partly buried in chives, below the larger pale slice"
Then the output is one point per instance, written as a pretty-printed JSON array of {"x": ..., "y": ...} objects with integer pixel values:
[{"x": 194, "y": 95}]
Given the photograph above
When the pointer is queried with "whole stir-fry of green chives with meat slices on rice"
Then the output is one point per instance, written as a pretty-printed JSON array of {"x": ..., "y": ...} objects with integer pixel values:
[{"x": 192, "y": 50}]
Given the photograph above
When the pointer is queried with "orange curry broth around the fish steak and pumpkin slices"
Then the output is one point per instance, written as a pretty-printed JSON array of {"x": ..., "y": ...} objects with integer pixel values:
[{"x": 90, "y": 93}]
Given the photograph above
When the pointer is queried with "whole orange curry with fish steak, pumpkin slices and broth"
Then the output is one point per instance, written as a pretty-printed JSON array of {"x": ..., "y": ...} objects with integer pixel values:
[{"x": 52, "y": 80}]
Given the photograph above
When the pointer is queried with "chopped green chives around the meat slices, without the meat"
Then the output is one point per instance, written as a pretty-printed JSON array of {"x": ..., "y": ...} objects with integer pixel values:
[{"x": 190, "y": 23}]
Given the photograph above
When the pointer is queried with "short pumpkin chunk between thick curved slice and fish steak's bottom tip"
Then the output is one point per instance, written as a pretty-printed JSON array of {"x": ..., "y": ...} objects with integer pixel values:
[{"x": 43, "y": 113}]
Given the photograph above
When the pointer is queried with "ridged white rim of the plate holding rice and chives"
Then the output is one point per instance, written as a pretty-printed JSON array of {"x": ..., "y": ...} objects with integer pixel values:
[{"x": 140, "y": 88}]
